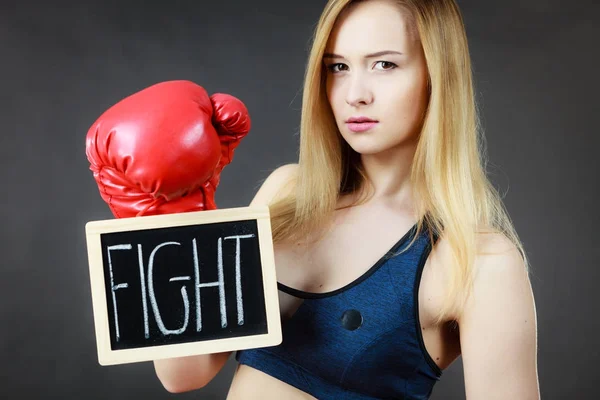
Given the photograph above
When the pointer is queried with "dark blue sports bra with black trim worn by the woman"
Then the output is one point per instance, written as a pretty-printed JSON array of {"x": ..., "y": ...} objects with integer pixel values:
[{"x": 362, "y": 341}]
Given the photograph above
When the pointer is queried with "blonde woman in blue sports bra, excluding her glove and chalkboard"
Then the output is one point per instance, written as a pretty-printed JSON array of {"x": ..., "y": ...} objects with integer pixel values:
[{"x": 394, "y": 253}]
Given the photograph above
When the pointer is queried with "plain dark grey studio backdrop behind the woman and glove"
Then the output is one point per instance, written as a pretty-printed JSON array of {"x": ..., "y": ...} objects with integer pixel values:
[{"x": 64, "y": 63}]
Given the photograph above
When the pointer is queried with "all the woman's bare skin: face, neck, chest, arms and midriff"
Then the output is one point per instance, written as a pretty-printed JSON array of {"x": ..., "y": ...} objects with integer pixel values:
[{"x": 497, "y": 329}]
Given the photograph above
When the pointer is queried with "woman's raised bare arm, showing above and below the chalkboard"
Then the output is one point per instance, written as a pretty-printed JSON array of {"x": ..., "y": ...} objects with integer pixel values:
[{"x": 184, "y": 374}]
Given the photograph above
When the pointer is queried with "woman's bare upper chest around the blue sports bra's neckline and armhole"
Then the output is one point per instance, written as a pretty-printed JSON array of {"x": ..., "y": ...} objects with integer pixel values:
[{"x": 344, "y": 253}]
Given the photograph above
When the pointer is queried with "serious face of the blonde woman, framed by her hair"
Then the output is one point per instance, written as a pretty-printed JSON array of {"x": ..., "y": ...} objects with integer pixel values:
[{"x": 376, "y": 77}]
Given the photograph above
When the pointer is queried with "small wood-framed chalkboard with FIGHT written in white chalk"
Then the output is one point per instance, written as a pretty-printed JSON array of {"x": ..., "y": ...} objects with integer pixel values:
[{"x": 183, "y": 284}]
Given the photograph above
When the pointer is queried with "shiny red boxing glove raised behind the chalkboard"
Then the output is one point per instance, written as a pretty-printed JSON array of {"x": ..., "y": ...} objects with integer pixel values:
[{"x": 162, "y": 150}]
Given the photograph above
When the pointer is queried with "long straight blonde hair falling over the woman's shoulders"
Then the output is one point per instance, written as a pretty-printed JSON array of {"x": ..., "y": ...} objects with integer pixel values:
[{"x": 453, "y": 196}]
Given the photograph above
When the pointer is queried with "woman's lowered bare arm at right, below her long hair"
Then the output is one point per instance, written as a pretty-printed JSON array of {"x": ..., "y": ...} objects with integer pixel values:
[{"x": 498, "y": 332}]
